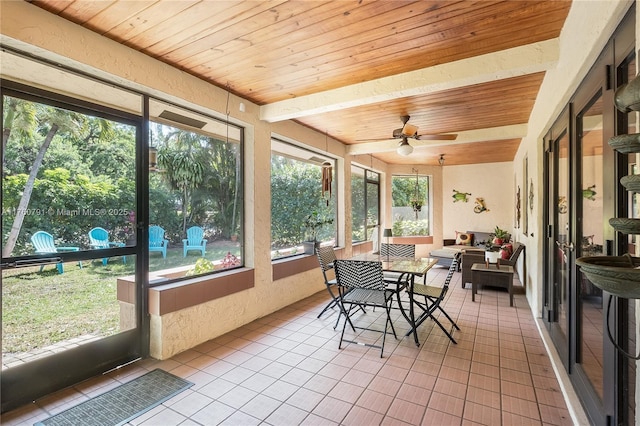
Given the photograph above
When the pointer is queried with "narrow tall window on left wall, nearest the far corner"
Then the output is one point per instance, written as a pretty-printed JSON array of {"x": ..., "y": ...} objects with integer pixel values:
[{"x": 365, "y": 202}]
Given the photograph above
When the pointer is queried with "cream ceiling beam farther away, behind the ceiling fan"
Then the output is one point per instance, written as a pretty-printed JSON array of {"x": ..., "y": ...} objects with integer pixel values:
[{"x": 514, "y": 131}]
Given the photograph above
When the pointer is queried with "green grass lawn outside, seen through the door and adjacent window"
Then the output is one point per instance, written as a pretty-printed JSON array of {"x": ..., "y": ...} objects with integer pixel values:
[{"x": 43, "y": 308}]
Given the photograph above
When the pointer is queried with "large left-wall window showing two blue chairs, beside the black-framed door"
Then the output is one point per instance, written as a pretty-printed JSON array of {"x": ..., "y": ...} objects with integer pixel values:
[{"x": 195, "y": 193}]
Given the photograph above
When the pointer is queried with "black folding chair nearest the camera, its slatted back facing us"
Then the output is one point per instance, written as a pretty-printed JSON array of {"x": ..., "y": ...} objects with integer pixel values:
[{"x": 361, "y": 283}]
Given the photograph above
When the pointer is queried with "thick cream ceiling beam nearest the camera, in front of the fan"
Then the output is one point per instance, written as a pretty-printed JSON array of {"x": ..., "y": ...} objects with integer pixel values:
[{"x": 522, "y": 60}]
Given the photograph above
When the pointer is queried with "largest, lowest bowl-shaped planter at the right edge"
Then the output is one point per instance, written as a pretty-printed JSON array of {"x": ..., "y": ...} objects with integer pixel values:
[{"x": 618, "y": 275}]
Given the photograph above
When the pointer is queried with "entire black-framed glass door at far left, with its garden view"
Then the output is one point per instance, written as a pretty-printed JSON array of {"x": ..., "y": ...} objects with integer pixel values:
[{"x": 69, "y": 294}]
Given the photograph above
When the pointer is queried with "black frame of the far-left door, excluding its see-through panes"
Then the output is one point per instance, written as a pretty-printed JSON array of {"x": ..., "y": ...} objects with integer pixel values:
[{"x": 23, "y": 384}]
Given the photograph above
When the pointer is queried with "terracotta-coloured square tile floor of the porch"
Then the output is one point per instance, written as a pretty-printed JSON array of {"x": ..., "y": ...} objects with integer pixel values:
[{"x": 286, "y": 369}]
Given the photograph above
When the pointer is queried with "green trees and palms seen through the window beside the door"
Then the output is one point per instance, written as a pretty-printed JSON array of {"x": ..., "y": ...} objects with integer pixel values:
[{"x": 201, "y": 181}]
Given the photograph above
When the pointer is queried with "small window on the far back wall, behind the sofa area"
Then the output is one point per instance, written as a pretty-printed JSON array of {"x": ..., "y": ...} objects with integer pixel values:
[{"x": 411, "y": 205}]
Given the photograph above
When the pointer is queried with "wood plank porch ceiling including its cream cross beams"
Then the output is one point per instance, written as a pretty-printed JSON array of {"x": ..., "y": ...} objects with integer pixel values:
[{"x": 287, "y": 55}]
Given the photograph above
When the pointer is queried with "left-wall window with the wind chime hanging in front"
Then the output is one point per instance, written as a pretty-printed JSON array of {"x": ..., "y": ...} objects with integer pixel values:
[{"x": 302, "y": 216}]
